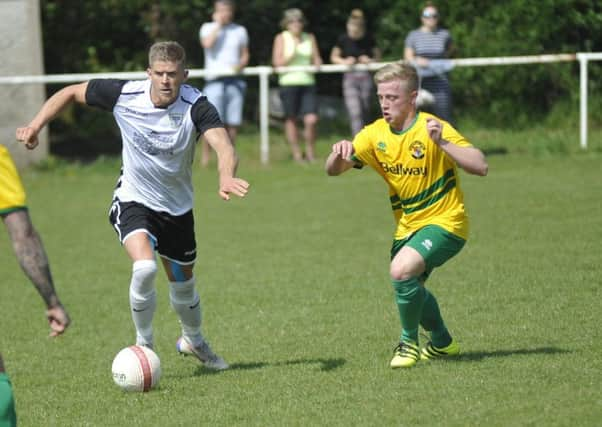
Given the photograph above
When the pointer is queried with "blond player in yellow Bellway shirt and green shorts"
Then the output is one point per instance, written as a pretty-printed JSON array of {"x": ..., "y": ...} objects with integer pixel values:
[{"x": 417, "y": 155}]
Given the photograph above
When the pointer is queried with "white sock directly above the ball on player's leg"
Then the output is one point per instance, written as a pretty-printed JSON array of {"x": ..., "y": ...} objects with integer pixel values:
[{"x": 143, "y": 299}]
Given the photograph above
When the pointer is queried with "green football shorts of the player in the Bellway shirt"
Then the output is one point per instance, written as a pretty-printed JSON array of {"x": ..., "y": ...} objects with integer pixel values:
[{"x": 435, "y": 244}]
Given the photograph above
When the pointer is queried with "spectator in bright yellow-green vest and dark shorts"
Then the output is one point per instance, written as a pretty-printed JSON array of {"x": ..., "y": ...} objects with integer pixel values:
[{"x": 293, "y": 47}]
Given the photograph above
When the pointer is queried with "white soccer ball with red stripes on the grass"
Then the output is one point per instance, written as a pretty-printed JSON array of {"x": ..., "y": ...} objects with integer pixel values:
[{"x": 136, "y": 368}]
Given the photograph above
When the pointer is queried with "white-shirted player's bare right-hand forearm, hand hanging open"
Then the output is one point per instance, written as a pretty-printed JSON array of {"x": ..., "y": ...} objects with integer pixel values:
[{"x": 227, "y": 162}]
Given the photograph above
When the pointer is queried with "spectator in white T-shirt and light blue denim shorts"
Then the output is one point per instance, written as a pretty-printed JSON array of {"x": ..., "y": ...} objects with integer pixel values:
[{"x": 226, "y": 51}]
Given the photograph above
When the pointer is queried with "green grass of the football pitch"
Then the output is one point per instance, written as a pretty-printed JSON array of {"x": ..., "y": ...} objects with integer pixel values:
[{"x": 296, "y": 297}]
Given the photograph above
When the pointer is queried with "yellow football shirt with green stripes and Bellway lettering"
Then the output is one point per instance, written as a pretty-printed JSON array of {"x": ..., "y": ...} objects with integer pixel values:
[{"x": 423, "y": 181}]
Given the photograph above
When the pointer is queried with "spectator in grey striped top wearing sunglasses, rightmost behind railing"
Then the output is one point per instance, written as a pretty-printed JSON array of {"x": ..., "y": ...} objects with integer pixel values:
[{"x": 425, "y": 47}]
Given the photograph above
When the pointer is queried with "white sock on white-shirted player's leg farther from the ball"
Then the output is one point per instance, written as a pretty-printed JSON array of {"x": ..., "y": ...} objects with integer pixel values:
[{"x": 186, "y": 302}]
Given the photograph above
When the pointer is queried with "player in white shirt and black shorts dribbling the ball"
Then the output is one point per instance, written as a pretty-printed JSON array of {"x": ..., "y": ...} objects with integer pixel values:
[{"x": 160, "y": 120}]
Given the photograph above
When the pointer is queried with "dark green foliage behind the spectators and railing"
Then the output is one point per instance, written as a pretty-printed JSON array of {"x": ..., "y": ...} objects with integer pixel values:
[{"x": 112, "y": 35}]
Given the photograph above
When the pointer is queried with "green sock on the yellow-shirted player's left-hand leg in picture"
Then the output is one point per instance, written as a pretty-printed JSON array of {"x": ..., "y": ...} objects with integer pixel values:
[{"x": 409, "y": 296}]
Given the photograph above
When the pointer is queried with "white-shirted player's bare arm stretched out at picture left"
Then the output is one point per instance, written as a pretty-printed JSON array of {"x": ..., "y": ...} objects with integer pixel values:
[{"x": 51, "y": 108}]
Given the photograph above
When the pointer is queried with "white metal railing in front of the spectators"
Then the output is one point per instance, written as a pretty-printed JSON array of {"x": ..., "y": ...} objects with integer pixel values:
[{"x": 263, "y": 72}]
